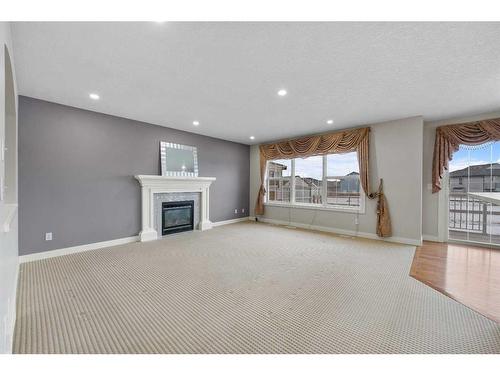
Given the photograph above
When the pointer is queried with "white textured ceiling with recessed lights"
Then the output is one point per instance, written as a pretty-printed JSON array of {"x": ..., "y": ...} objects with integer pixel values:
[{"x": 226, "y": 75}]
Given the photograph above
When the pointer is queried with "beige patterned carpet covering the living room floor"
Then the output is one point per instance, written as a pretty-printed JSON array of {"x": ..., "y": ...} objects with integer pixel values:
[{"x": 242, "y": 288}]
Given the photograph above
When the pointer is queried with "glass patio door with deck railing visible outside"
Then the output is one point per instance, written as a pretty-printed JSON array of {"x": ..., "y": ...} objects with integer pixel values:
[{"x": 474, "y": 194}]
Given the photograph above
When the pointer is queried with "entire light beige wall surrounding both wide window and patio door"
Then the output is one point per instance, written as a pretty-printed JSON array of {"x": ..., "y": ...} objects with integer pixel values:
[{"x": 391, "y": 142}]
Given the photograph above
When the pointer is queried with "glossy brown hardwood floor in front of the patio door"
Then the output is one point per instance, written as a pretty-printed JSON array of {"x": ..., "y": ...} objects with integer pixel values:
[{"x": 468, "y": 274}]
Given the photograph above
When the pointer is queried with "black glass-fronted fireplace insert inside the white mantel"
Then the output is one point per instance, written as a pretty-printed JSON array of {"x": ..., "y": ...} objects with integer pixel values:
[{"x": 177, "y": 217}]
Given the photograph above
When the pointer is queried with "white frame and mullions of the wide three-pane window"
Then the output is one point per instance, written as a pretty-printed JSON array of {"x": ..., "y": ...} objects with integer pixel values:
[{"x": 318, "y": 206}]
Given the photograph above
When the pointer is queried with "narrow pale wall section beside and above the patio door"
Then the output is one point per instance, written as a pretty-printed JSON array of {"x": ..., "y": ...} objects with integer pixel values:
[{"x": 430, "y": 209}]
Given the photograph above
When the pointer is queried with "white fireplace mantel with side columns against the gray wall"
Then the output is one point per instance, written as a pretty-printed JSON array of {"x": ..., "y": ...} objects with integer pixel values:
[{"x": 151, "y": 185}]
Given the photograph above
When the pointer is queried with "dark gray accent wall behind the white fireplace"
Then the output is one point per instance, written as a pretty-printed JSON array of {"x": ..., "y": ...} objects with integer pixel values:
[{"x": 76, "y": 171}]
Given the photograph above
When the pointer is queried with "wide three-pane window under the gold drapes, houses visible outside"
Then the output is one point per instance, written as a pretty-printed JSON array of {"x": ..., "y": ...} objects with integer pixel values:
[{"x": 330, "y": 181}]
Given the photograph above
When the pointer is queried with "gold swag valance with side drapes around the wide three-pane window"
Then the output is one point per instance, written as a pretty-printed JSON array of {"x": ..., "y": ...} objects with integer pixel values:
[{"x": 332, "y": 143}]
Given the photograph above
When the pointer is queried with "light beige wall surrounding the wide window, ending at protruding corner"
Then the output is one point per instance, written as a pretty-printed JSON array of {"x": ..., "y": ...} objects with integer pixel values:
[{"x": 396, "y": 156}]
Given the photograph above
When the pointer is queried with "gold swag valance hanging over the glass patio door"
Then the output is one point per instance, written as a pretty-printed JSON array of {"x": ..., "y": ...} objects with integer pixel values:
[{"x": 450, "y": 137}]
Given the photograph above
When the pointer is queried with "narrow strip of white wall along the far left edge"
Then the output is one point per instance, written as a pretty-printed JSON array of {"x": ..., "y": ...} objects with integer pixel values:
[{"x": 9, "y": 260}]
